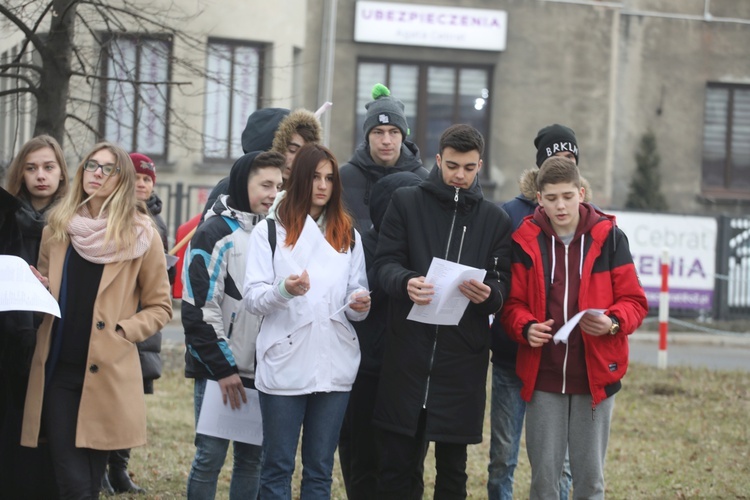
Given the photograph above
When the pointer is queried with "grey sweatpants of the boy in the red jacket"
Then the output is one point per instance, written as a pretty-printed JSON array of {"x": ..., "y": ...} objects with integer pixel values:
[{"x": 556, "y": 422}]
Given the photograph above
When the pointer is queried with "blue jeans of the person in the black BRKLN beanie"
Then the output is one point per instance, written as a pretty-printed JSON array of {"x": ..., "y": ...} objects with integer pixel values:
[{"x": 507, "y": 410}]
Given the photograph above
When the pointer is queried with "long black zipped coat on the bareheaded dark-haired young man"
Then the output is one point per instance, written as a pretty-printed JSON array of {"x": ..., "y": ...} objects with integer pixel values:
[{"x": 443, "y": 368}]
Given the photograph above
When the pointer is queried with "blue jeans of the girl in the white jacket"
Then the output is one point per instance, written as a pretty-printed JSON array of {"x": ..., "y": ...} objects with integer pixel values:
[{"x": 319, "y": 415}]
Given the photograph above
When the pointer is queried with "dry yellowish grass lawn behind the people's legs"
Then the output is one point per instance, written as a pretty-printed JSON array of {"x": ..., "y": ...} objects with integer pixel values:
[{"x": 679, "y": 433}]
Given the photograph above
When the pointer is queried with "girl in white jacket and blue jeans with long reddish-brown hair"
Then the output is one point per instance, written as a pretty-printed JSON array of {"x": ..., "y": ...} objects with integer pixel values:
[{"x": 308, "y": 282}]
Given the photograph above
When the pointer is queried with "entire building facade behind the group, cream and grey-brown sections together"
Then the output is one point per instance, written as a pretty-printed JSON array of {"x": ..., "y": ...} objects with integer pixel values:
[{"x": 611, "y": 70}]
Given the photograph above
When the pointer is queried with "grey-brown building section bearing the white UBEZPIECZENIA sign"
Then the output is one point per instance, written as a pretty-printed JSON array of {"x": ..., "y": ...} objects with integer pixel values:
[{"x": 610, "y": 70}]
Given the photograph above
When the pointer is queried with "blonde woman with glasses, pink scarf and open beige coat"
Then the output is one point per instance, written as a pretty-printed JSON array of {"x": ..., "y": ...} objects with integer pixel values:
[{"x": 100, "y": 257}]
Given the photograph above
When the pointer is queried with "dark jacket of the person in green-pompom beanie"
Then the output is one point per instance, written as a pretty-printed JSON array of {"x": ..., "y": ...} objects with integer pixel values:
[{"x": 361, "y": 173}]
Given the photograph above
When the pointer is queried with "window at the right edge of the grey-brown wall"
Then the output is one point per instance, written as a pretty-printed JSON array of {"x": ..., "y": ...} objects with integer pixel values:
[{"x": 726, "y": 141}]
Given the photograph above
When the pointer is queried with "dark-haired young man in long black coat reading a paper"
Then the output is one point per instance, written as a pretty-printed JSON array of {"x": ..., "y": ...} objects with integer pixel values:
[{"x": 432, "y": 384}]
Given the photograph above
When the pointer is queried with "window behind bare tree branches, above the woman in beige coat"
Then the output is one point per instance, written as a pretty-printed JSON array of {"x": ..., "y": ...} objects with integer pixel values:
[{"x": 135, "y": 100}]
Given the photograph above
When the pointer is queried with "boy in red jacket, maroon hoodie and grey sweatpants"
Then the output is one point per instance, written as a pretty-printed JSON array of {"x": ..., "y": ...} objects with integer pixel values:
[{"x": 569, "y": 257}]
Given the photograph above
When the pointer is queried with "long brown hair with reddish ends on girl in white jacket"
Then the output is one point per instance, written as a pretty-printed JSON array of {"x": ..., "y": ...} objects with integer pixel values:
[{"x": 295, "y": 206}]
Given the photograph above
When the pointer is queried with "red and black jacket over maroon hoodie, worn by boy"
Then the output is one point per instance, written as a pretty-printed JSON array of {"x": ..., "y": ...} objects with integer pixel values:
[{"x": 598, "y": 272}]
